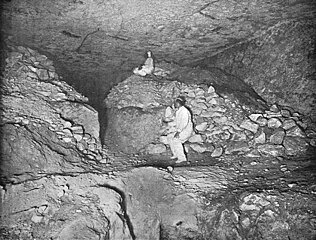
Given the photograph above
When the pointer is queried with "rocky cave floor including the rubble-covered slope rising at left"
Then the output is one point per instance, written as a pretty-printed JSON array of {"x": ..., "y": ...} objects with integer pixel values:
[{"x": 230, "y": 196}]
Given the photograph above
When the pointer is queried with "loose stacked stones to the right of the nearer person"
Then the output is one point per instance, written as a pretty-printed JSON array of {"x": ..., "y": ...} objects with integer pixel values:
[{"x": 223, "y": 127}]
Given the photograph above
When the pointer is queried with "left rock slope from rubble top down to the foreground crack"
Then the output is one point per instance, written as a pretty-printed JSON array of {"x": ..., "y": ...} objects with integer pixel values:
[{"x": 49, "y": 135}]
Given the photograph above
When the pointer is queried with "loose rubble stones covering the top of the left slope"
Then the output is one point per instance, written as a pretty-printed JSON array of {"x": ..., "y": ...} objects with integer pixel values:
[{"x": 31, "y": 80}]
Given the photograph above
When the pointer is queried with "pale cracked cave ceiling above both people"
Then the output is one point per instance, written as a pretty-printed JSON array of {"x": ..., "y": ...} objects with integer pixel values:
[{"x": 94, "y": 35}]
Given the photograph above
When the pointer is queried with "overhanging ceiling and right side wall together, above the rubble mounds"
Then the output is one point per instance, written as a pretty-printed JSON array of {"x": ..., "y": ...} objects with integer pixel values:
[{"x": 96, "y": 44}]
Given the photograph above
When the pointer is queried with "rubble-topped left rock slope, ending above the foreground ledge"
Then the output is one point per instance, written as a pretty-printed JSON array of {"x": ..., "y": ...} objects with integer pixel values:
[{"x": 36, "y": 120}]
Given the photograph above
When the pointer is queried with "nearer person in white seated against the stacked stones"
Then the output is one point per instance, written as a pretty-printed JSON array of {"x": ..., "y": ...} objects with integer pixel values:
[{"x": 182, "y": 131}]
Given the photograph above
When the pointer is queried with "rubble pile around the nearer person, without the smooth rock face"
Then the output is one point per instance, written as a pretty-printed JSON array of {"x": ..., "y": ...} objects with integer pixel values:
[{"x": 222, "y": 124}]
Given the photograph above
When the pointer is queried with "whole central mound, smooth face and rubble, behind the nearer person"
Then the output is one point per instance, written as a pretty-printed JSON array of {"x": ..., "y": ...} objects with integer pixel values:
[{"x": 218, "y": 120}]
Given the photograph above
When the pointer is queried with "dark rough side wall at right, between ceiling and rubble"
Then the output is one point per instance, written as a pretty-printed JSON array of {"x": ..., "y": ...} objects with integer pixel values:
[{"x": 279, "y": 65}]
